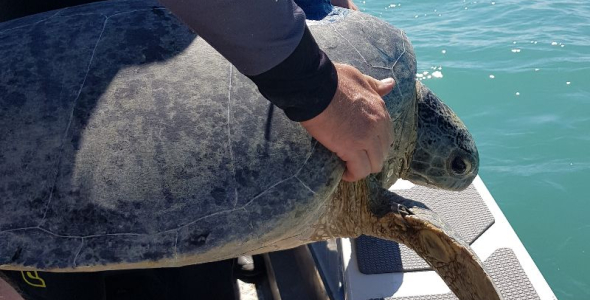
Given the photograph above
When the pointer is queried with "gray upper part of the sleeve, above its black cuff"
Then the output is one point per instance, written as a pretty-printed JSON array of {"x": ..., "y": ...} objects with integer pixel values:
[{"x": 254, "y": 35}]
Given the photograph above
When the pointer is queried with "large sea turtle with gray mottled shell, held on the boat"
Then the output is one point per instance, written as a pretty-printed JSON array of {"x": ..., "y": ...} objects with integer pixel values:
[{"x": 126, "y": 141}]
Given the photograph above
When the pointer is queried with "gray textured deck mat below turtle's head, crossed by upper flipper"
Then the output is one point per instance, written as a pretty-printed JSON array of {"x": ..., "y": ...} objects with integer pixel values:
[{"x": 464, "y": 211}]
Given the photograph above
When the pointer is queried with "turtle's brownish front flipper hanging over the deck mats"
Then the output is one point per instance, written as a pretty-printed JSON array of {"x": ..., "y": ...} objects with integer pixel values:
[{"x": 412, "y": 223}]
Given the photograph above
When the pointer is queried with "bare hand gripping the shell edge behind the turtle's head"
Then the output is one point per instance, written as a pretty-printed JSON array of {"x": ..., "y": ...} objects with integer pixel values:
[{"x": 356, "y": 125}]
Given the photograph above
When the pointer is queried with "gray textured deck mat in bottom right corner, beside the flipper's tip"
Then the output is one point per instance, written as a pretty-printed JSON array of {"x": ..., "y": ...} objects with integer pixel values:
[{"x": 506, "y": 272}]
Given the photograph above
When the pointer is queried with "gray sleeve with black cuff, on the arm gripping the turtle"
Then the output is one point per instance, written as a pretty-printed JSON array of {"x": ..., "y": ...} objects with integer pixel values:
[{"x": 268, "y": 41}]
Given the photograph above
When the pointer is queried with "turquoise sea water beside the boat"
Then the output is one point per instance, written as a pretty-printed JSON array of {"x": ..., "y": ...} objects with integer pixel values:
[{"x": 518, "y": 74}]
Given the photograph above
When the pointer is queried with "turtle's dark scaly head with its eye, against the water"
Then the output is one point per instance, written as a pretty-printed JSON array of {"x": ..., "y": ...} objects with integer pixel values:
[{"x": 445, "y": 155}]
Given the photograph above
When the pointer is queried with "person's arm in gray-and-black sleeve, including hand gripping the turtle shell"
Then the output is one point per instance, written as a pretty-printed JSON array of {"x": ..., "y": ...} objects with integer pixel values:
[{"x": 267, "y": 40}]
